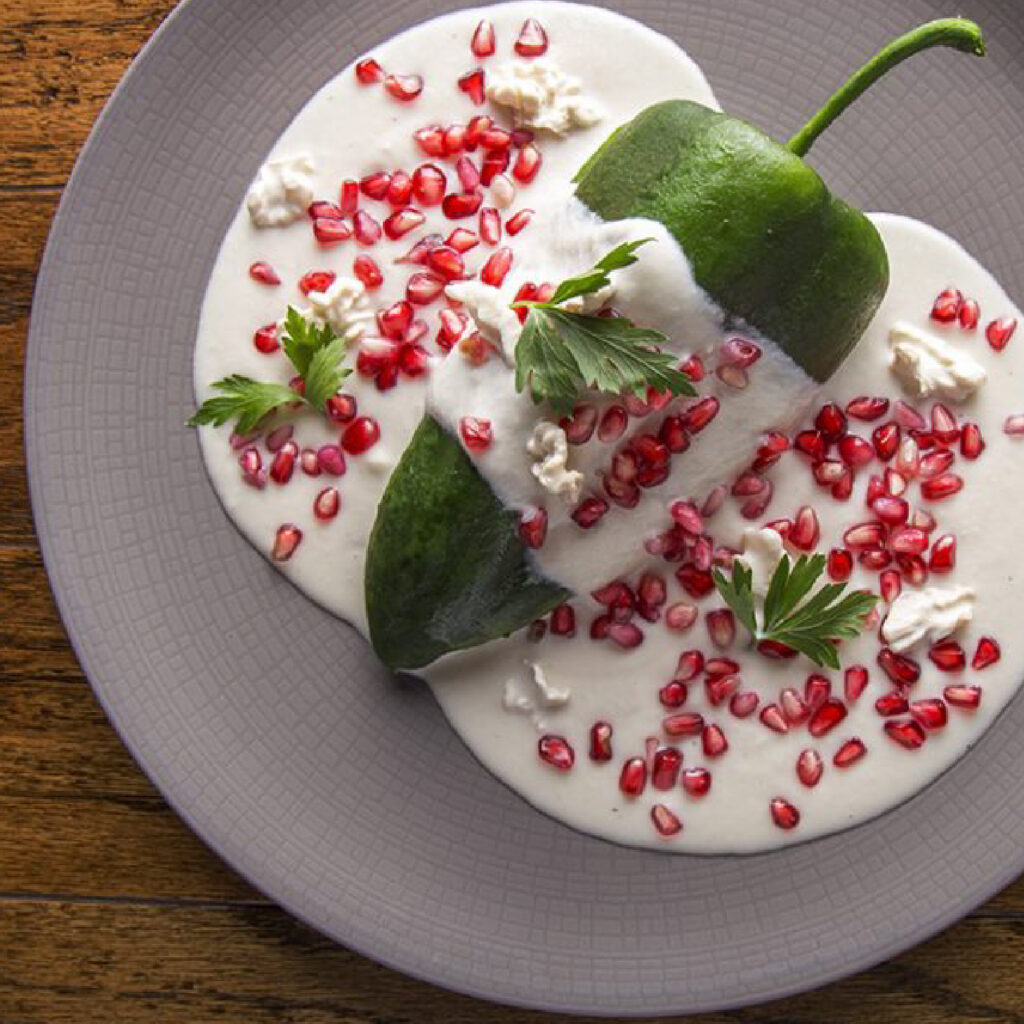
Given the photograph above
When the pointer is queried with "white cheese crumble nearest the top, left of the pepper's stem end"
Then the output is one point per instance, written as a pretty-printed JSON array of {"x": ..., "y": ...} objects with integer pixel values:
[{"x": 541, "y": 96}]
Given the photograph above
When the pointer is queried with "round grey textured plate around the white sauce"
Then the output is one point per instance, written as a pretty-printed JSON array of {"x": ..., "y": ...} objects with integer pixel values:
[{"x": 270, "y": 727}]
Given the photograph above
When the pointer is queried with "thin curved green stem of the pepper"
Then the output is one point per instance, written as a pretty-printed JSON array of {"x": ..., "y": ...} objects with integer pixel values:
[{"x": 957, "y": 32}]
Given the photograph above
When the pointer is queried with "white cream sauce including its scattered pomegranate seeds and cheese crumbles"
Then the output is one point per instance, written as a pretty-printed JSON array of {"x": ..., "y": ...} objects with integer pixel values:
[{"x": 636, "y": 712}]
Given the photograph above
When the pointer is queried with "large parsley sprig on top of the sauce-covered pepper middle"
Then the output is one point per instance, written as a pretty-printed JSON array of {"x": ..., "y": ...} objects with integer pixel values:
[{"x": 562, "y": 353}]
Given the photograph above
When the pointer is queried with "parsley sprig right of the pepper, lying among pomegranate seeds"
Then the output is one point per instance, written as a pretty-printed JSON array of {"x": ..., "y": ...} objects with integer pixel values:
[{"x": 791, "y": 617}]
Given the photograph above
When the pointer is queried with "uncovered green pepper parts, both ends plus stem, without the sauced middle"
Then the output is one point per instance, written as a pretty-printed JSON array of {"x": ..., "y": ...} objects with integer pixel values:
[{"x": 448, "y": 568}]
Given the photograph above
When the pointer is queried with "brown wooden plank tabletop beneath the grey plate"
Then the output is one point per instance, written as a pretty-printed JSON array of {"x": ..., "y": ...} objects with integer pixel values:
[{"x": 110, "y": 910}]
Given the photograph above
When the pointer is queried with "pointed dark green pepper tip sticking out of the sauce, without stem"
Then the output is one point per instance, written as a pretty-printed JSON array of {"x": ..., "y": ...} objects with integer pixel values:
[{"x": 446, "y": 569}]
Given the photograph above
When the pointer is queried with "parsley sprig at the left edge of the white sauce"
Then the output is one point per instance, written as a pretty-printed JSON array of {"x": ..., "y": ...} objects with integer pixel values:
[{"x": 316, "y": 353}]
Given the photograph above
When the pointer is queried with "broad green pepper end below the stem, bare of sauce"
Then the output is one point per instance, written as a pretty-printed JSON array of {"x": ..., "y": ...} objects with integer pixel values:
[{"x": 766, "y": 239}]
